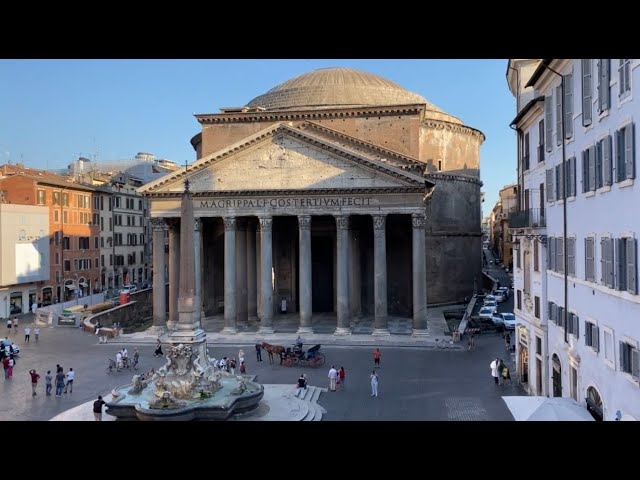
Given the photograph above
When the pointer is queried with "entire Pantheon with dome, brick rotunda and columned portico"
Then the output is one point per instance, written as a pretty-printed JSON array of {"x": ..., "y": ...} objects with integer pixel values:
[{"x": 337, "y": 192}]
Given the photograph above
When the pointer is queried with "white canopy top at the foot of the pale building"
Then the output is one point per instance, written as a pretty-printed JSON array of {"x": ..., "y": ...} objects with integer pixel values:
[{"x": 526, "y": 408}]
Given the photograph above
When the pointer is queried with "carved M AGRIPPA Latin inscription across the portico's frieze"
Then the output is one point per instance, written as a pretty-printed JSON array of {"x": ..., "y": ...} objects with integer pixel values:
[{"x": 285, "y": 202}]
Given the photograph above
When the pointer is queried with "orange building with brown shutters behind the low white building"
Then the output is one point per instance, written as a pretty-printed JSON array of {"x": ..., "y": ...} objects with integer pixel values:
[{"x": 74, "y": 232}]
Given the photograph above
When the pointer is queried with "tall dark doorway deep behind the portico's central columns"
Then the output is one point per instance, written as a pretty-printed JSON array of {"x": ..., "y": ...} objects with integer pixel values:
[{"x": 322, "y": 273}]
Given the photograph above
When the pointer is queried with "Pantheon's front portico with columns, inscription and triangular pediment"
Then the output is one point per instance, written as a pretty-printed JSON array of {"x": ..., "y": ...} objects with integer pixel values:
[{"x": 347, "y": 236}]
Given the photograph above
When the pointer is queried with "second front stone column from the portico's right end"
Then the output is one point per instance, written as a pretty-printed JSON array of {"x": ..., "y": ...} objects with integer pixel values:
[{"x": 380, "y": 275}]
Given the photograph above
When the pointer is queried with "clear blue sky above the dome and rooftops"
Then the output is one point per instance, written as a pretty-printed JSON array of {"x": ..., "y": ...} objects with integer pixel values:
[{"x": 53, "y": 111}]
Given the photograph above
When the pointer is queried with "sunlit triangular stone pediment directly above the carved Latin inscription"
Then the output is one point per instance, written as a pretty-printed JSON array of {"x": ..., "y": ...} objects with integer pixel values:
[{"x": 284, "y": 158}]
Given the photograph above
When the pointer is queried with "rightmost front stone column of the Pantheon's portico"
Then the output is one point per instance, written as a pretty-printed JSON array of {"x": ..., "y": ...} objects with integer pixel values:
[{"x": 419, "y": 275}]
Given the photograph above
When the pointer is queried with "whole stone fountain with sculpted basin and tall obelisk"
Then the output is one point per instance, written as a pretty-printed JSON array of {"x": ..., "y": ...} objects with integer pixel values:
[{"x": 189, "y": 386}]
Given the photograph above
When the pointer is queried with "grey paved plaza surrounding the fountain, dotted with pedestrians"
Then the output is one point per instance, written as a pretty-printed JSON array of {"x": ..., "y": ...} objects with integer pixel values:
[{"x": 416, "y": 383}]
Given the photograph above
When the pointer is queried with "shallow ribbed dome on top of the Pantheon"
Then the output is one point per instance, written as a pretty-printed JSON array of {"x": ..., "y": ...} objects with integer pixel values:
[{"x": 337, "y": 87}]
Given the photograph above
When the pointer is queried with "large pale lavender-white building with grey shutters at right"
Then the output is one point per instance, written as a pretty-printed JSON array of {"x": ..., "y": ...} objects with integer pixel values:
[{"x": 592, "y": 302}]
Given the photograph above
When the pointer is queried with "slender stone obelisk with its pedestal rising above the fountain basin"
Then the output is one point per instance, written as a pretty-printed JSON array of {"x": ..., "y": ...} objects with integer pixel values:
[{"x": 188, "y": 329}]
